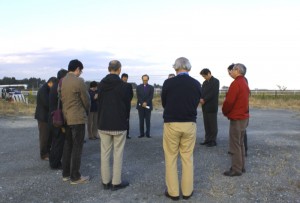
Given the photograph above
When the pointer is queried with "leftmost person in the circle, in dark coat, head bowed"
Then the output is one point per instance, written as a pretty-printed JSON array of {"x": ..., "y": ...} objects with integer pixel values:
[{"x": 42, "y": 116}]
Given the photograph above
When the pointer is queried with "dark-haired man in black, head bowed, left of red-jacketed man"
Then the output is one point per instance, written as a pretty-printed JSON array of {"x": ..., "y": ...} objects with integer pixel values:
[{"x": 210, "y": 103}]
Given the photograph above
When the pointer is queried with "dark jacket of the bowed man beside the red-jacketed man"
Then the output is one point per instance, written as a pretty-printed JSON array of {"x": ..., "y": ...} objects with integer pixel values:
[{"x": 210, "y": 94}]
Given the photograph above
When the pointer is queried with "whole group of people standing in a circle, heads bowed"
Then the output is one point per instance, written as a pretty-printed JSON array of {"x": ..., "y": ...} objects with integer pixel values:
[{"x": 107, "y": 108}]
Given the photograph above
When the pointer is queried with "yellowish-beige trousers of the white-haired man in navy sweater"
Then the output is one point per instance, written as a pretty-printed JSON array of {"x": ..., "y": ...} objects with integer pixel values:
[{"x": 179, "y": 137}]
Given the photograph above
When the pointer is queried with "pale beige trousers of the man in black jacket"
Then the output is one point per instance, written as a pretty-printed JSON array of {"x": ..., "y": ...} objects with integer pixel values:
[{"x": 117, "y": 142}]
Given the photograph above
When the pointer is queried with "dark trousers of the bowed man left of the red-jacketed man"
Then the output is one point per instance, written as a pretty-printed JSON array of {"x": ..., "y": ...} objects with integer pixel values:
[{"x": 210, "y": 126}]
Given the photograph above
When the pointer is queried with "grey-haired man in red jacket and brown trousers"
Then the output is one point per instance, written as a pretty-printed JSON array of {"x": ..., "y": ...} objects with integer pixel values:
[{"x": 235, "y": 108}]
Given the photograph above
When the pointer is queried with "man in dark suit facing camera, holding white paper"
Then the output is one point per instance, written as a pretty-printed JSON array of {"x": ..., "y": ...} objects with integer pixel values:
[{"x": 144, "y": 106}]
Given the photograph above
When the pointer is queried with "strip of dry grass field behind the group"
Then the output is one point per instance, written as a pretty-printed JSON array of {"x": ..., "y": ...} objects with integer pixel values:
[{"x": 291, "y": 102}]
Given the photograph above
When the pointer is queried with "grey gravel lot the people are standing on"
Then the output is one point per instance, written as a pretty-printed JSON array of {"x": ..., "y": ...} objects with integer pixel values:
[{"x": 272, "y": 170}]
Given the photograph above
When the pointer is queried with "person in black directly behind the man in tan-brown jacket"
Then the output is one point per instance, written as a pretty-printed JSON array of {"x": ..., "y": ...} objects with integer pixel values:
[{"x": 56, "y": 134}]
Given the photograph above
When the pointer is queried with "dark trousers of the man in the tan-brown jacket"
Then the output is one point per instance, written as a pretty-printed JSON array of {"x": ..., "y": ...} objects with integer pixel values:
[{"x": 72, "y": 151}]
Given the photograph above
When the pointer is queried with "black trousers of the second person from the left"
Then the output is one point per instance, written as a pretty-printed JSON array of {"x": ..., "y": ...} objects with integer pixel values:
[{"x": 57, "y": 146}]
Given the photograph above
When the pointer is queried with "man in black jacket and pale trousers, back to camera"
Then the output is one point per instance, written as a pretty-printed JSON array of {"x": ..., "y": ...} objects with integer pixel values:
[{"x": 114, "y": 101}]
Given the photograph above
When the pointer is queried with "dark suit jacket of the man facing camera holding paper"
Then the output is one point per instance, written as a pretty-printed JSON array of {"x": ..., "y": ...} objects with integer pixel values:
[{"x": 144, "y": 96}]
